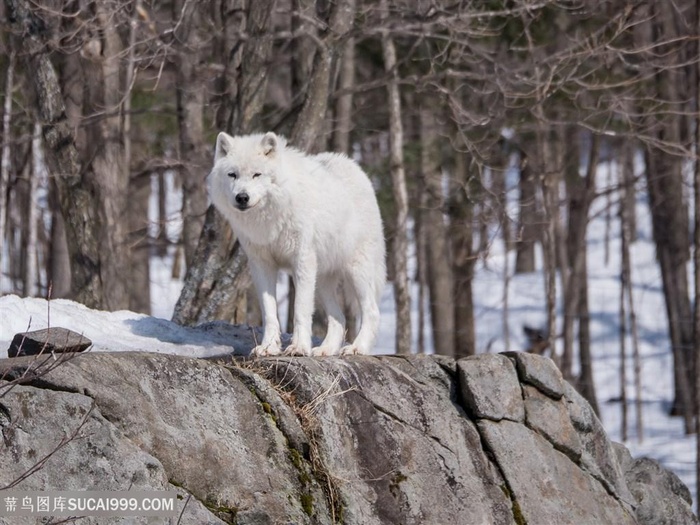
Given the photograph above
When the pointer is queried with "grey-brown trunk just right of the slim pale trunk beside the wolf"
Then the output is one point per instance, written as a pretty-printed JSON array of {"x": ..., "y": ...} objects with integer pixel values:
[{"x": 438, "y": 255}]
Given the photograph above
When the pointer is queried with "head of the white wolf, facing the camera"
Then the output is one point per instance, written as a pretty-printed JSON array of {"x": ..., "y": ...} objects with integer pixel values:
[{"x": 244, "y": 171}]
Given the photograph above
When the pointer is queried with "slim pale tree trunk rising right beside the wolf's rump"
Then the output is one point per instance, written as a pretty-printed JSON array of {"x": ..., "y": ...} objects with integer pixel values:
[{"x": 402, "y": 297}]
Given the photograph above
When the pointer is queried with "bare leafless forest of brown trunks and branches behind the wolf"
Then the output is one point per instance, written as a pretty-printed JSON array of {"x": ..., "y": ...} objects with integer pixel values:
[{"x": 481, "y": 123}]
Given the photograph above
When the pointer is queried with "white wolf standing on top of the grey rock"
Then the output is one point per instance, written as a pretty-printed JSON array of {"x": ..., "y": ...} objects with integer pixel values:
[{"x": 314, "y": 216}]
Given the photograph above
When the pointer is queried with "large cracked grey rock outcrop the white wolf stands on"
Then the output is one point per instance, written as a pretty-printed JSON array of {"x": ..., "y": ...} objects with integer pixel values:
[{"x": 356, "y": 440}]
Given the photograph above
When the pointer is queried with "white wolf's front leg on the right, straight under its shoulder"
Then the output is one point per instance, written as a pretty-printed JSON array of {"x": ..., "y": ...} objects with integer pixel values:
[{"x": 305, "y": 286}]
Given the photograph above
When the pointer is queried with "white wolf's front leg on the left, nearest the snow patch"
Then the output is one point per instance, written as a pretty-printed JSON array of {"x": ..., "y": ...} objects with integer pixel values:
[{"x": 265, "y": 281}]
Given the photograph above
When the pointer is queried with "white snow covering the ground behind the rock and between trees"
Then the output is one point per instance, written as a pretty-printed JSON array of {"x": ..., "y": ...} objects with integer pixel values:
[{"x": 663, "y": 436}]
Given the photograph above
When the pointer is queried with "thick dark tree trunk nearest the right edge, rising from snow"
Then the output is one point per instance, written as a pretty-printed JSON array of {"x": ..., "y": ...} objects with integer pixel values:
[{"x": 664, "y": 177}]
